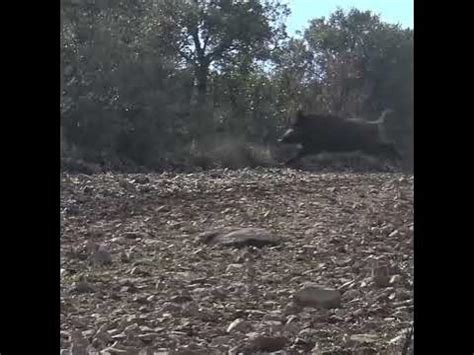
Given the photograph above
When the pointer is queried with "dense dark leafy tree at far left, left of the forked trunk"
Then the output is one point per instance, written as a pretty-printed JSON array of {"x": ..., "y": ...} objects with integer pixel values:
[{"x": 120, "y": 95}]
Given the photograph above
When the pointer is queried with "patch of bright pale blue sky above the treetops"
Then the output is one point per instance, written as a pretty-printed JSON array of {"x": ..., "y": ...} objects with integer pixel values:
[{"x": 391, "y": 11}]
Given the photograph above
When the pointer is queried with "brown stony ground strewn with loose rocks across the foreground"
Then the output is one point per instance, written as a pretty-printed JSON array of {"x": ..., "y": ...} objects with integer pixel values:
[{"x": 146, "y": 265}]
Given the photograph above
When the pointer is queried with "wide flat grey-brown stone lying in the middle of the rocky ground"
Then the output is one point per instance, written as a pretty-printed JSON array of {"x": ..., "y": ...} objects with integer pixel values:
[{"x": 240, "y": 237}]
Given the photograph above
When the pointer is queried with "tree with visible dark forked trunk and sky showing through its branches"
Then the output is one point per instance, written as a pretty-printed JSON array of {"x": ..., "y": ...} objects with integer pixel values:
[{"x": 212, "y": 33}]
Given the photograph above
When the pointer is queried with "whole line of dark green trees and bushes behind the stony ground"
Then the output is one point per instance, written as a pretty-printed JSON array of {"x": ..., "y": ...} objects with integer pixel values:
[{"x": 168, "y": 83}]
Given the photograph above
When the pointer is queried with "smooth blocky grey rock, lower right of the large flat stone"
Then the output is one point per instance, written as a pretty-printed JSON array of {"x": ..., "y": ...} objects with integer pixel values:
[{"x": 319, "y": 297}]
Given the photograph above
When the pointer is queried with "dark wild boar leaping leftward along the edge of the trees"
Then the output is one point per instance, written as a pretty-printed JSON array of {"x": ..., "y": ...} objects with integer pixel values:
[{"x": 333, "y": 134}]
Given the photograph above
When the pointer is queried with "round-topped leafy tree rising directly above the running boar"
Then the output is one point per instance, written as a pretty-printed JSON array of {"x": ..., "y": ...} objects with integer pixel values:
[{"x": 363, "y": 61}]
